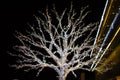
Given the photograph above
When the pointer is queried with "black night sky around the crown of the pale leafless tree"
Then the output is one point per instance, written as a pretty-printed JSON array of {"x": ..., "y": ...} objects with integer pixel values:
[{"x": 15, "y": 14}]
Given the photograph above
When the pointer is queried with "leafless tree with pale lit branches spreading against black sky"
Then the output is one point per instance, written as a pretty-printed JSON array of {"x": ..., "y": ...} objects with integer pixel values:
[{"x": 59, "y": 41}]
